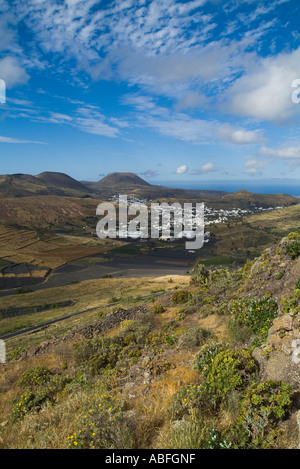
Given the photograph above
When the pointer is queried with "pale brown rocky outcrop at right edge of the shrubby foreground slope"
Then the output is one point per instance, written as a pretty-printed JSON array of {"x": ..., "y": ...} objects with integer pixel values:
[{"x": 276, "y": 273}]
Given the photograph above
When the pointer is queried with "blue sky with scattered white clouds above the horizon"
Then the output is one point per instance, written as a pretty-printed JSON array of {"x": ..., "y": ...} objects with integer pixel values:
[{"x": 171, "y": 90}]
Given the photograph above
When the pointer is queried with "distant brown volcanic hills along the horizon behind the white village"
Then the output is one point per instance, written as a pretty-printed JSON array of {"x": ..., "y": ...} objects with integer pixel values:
[{"x": 60, "y": 184}]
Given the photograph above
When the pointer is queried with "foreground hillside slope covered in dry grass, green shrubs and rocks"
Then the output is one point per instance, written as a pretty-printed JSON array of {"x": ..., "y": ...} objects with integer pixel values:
[{"x": 212, "y": 365}]
